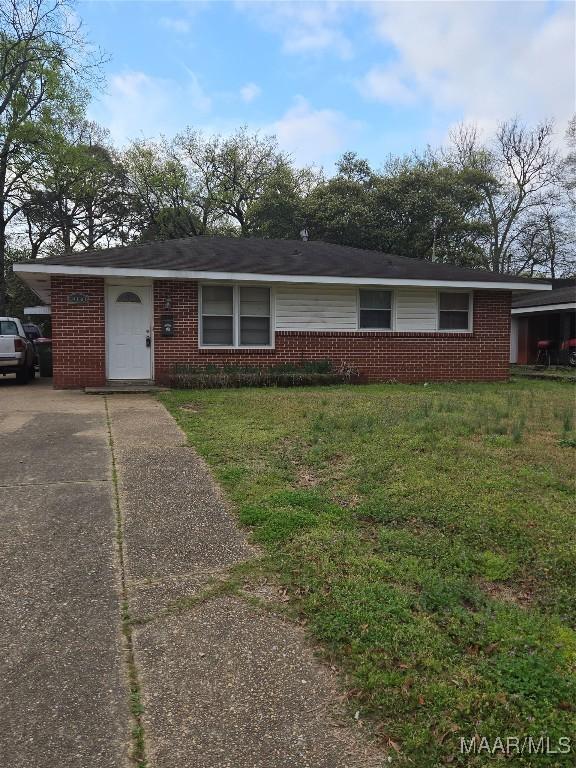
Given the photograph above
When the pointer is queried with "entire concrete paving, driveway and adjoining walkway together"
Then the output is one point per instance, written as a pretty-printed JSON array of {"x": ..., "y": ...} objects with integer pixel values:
[{"x": 223, "y": 684}]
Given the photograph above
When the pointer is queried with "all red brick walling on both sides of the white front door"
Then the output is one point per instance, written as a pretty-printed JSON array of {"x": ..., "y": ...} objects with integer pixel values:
[{"x": 483, "y": 355}]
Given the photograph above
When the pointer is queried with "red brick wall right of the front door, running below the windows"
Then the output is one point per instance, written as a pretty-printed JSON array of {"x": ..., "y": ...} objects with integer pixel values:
[{"x": 403, "y": 356}]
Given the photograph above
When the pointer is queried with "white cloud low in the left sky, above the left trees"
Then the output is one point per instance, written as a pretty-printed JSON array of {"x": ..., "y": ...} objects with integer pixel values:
[{"x": 137, "y": 104}]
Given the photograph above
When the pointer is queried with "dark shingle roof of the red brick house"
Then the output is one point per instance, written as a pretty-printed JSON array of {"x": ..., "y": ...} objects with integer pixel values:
[{"x": 273, "y": 257}]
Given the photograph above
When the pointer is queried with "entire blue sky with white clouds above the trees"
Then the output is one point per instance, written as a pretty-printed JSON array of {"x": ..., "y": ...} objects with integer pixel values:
[{"x": 374, "y": 77}]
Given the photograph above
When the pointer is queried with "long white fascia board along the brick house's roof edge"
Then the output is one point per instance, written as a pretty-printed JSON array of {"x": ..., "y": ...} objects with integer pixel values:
[{"x": 181, "y": 274}]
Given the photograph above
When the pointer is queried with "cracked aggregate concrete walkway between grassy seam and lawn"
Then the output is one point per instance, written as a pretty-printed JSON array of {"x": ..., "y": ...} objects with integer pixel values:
[{"x": 224, "y": 684}]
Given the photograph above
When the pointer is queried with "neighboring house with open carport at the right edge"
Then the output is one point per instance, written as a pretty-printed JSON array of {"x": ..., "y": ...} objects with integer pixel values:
[{"x": 549, "y": 316}]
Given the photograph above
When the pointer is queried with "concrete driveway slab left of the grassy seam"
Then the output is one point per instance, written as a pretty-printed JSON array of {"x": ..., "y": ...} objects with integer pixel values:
[{"x": 63, "y": 698}]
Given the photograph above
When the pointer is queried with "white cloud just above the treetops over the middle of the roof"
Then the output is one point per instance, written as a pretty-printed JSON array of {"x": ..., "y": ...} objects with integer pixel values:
[{"x": 314, "y": 135}]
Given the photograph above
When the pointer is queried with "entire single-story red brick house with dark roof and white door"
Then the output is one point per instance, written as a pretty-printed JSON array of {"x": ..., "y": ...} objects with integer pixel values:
[{"x": 131, "y": 313}]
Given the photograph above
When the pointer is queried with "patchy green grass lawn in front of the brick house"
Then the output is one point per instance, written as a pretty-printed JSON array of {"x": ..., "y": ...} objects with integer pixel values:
[{"x": 426, "y": 536}]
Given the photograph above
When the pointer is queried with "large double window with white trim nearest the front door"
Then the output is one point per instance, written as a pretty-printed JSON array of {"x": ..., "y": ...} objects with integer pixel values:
[{"x": 235, "y": 316}]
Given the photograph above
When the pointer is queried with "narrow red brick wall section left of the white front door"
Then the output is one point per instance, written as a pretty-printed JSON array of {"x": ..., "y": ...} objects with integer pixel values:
[{"x": 78, "y": 333}]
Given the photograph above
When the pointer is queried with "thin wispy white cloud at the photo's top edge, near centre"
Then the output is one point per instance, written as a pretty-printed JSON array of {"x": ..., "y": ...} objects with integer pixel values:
[{"x": 305, "y": 27}]
